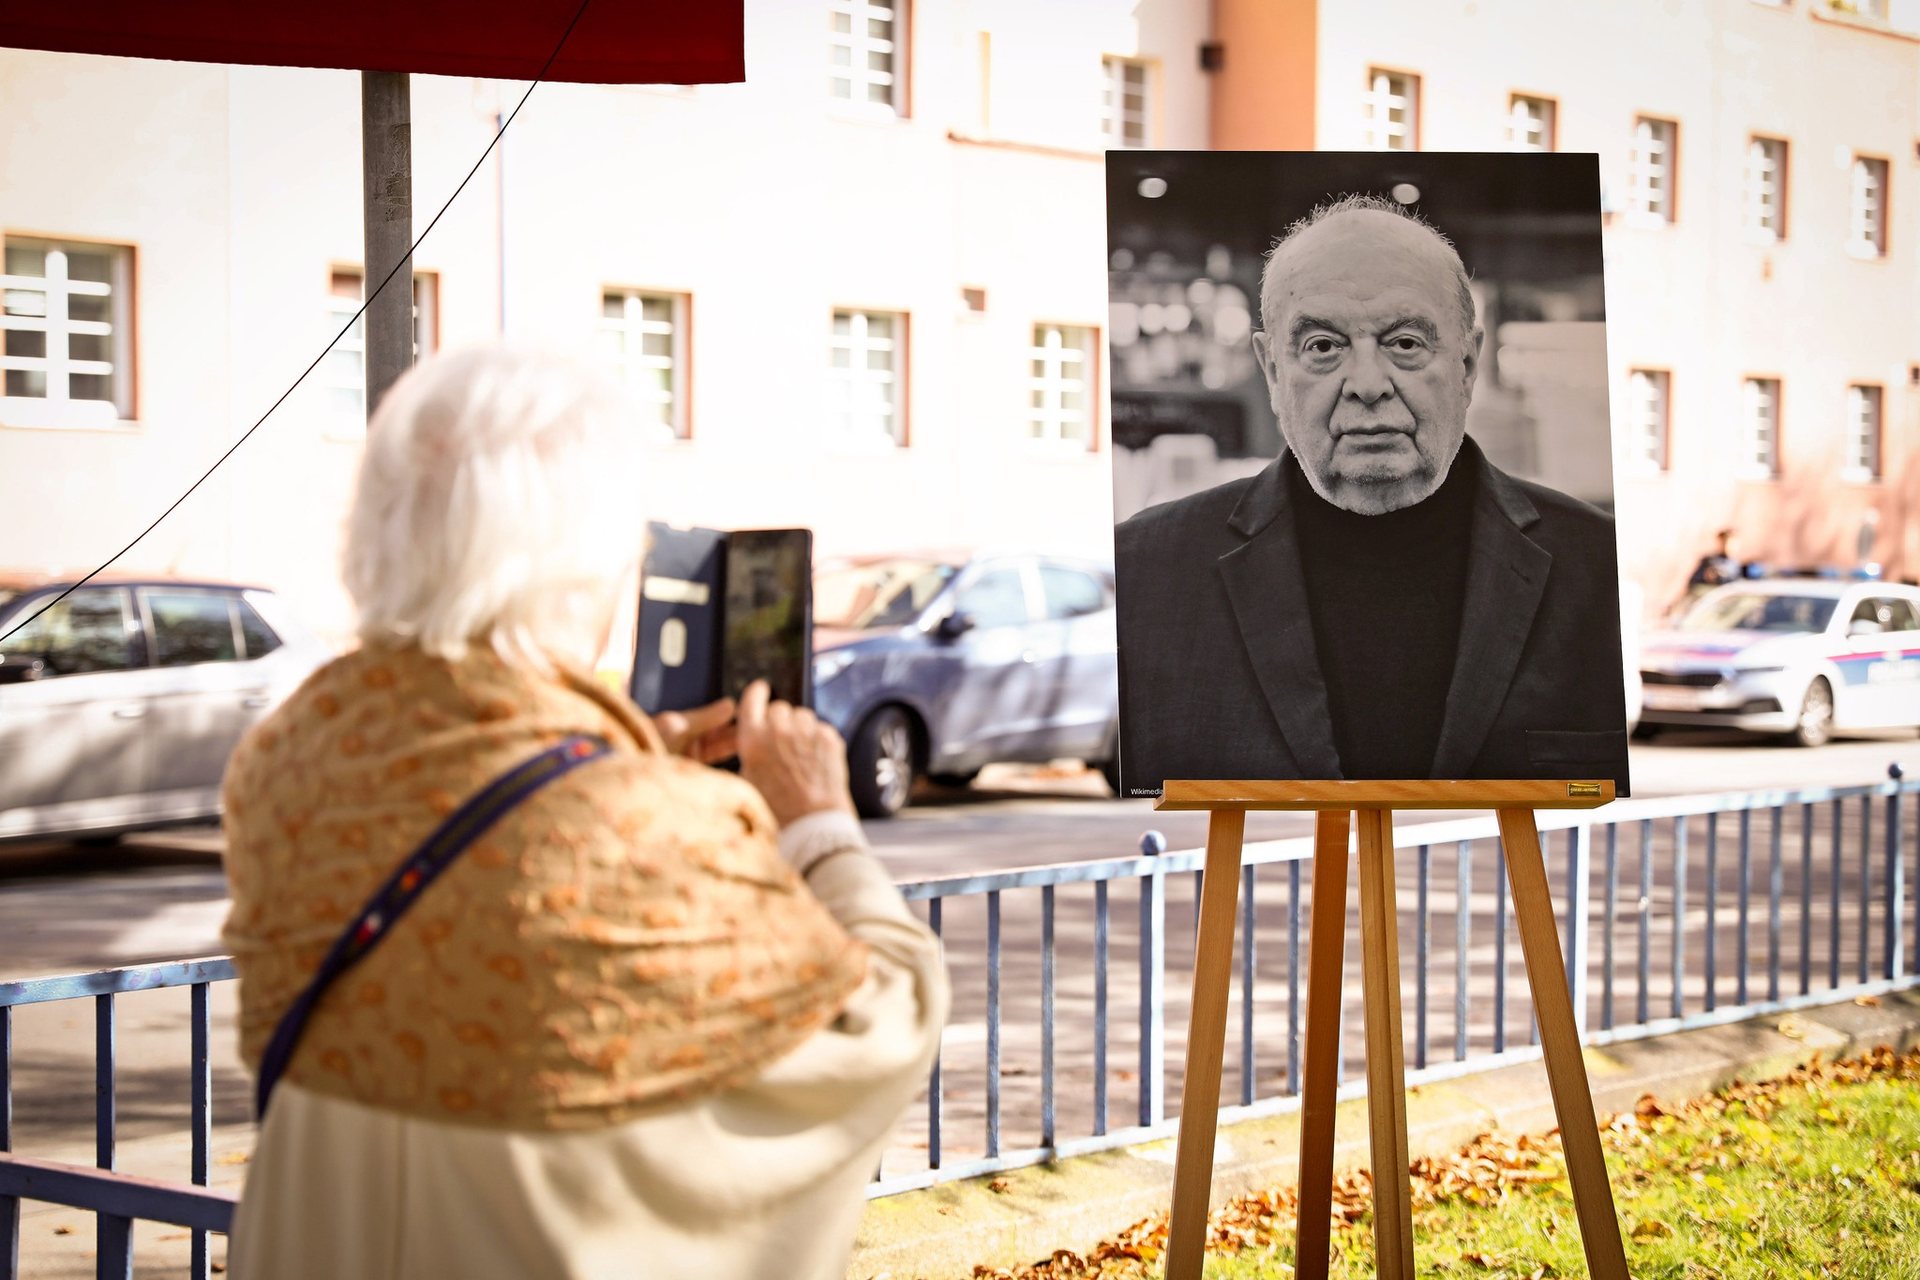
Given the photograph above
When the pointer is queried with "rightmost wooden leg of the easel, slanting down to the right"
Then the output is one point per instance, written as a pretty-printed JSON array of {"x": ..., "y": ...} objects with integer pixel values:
[{"x": 1560, "y": 1043}]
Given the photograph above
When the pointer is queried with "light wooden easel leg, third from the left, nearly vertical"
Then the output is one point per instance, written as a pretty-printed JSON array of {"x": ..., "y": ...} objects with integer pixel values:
[{"x": 1387, "y": 1074}]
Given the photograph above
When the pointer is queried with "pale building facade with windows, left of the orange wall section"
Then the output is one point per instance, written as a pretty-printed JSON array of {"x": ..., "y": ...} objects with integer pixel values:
[{"x": 861, "y": 293}]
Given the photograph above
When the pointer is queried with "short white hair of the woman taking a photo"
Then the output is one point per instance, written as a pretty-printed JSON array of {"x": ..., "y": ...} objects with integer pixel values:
[{"x": 496, "y": 504}]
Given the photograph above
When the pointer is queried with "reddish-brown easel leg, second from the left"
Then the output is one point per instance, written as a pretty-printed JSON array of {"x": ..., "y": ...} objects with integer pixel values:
[{"x": 1322, "y": 1045}]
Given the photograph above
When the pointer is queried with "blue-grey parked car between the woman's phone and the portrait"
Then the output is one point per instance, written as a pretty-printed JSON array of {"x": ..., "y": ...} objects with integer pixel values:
[{"x": 940, "y": 665}]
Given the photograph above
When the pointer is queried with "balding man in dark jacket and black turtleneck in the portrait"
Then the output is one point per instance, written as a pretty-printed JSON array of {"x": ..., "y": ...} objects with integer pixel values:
[{"x": 1380, "y": 602}]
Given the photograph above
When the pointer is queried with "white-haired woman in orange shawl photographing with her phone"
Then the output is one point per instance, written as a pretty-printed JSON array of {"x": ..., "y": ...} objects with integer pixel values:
[{"x": 529, "y": 987}]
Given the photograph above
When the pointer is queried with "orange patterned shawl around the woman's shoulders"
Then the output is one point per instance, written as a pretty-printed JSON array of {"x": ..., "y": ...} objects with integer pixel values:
[{"x": 625, "y": 939}]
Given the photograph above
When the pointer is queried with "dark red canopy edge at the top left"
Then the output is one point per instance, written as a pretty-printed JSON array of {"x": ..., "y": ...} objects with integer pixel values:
[{"x": 617, "y": 41}]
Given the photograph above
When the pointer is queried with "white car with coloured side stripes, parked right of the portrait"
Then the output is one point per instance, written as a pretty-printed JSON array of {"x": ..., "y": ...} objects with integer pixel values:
[{"x": 1796, "y": 657}]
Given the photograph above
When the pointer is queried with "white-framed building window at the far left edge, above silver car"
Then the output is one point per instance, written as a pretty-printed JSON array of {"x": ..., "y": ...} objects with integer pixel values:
[{"x": 68, "y": 333}]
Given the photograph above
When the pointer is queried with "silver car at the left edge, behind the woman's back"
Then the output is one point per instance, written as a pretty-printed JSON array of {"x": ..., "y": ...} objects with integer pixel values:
[{"x": 122, "y": 703}]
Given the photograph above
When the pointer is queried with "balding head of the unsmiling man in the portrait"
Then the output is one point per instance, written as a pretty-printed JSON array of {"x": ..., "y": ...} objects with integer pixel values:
[{"x": 1370, "y": 360}]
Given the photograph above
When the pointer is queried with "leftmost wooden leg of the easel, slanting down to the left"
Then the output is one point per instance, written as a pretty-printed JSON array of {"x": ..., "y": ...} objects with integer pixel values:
[{"x": 1207, "y": 1035}]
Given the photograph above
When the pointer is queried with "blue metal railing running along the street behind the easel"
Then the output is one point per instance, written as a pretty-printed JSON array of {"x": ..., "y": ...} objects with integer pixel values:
[{"x": 1074, "y": 959}]
